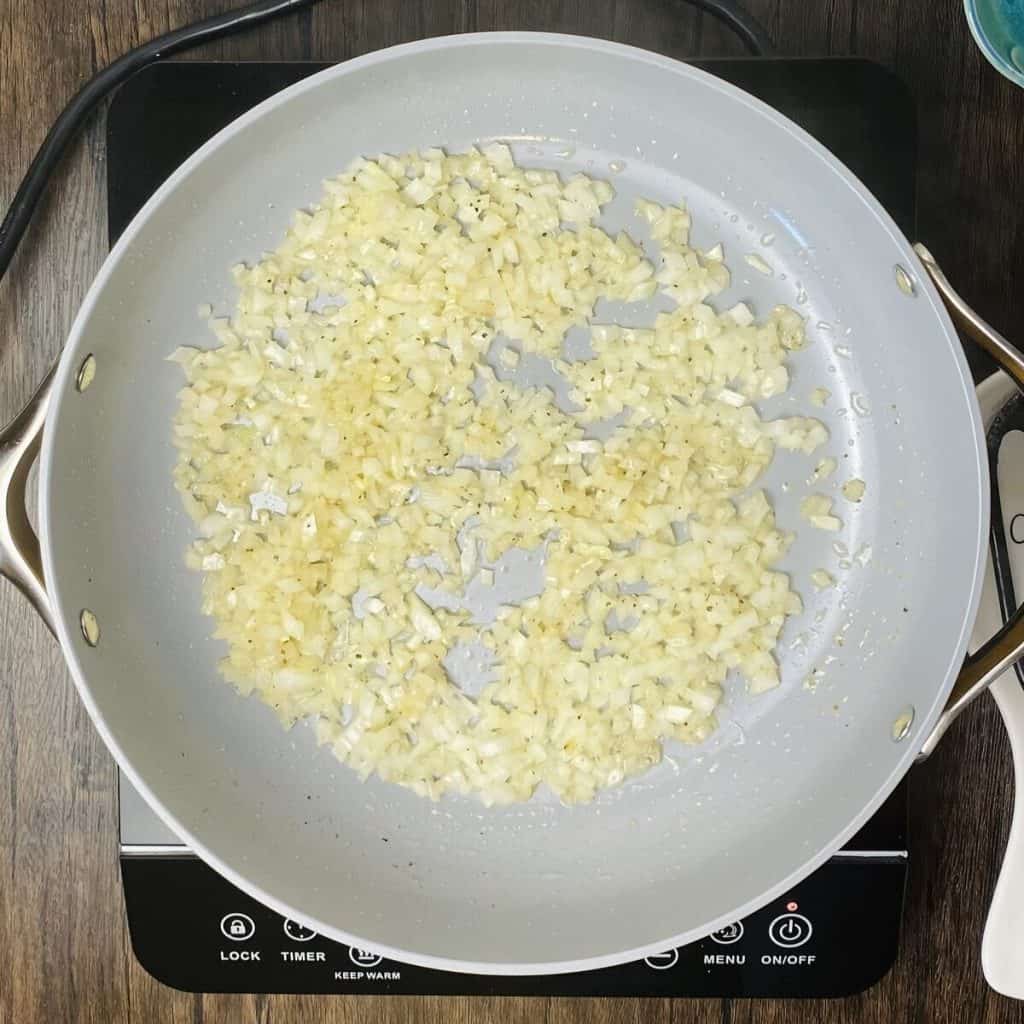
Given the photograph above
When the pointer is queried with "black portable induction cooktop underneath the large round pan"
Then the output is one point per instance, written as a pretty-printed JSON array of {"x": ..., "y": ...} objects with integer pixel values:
[{"x": 834, "y": 934}]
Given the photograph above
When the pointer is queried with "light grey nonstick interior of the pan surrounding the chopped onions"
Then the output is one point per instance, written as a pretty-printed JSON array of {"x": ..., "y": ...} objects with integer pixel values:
[{"x": 713, "y": 832}]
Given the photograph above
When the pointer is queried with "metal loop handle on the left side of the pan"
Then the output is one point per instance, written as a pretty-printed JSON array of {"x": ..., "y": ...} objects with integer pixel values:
[{"x": 21, "y": 560}]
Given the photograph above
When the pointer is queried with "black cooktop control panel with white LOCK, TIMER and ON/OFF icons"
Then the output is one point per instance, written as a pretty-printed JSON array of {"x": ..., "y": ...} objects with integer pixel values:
[{"x": 835, "y": 934}]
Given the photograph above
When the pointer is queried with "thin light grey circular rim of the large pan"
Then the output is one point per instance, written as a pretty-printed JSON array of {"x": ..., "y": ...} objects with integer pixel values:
[{"x": 67, "y": 630}]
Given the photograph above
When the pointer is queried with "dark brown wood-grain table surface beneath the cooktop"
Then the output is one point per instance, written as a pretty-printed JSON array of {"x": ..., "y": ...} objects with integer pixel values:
[{"x": 64, "y": 948}]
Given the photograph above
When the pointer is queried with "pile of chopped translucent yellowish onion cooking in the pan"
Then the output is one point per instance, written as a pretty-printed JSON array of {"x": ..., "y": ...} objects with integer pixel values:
[{"x": 347, "y": 453}]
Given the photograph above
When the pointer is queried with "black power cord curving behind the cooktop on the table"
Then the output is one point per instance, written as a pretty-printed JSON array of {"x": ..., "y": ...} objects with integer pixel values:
[{"x": 73, "y": 116}]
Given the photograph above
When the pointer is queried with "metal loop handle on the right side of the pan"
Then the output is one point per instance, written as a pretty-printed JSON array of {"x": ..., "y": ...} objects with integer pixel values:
[{"x": 1004, "y": 650}]
